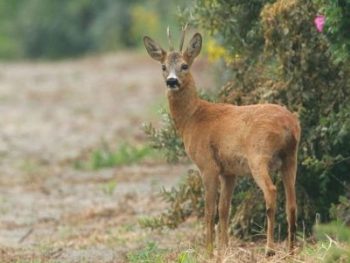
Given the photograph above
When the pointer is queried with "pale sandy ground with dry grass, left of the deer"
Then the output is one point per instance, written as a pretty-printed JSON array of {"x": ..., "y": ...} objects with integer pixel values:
[{"x": 52, "y": 113}]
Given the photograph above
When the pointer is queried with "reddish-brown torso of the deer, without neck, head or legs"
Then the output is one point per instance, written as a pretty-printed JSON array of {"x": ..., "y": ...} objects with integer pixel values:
[{"x": 232, "y": 135}]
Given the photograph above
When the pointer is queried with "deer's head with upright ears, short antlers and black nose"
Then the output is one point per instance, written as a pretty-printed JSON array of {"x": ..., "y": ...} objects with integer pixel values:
[{"x": 175, "y": 64}]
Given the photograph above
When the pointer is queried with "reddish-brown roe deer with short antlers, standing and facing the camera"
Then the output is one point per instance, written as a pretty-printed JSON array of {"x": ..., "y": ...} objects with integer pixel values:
[{"x": 226, "y": 141}]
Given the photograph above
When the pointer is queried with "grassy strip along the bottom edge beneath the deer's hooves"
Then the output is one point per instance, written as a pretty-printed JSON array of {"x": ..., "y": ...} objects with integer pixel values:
[{"x": 331, "y": 243}]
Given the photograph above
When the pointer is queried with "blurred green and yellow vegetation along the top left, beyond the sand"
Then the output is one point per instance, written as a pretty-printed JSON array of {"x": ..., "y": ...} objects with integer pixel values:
[{"x": 57, "y": 29}]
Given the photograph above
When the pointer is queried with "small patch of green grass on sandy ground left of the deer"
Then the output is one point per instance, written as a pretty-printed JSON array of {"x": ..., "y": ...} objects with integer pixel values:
[{"x": 105, "y": 157}]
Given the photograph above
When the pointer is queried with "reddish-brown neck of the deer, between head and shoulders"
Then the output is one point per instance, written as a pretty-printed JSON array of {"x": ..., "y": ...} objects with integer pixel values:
[{"x": 183, "y": 104}]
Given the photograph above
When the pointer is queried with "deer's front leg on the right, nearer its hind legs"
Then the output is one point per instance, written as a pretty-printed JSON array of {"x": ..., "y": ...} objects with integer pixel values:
[{"x": 210, "y": 181}]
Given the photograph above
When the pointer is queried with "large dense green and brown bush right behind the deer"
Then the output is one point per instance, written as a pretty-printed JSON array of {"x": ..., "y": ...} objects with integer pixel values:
[{"x": 294, "y": 65}]
